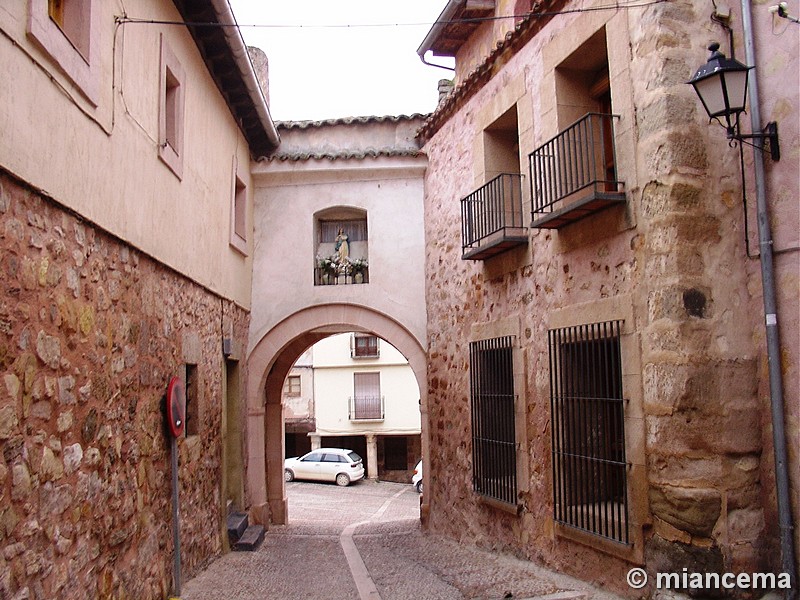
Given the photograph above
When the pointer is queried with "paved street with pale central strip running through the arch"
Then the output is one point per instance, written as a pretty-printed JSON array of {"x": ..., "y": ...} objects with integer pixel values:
[{"x": 364, "y": 542}]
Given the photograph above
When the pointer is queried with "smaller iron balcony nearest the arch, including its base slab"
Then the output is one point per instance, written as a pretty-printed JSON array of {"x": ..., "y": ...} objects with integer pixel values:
[{"x": 492, "y": 218}]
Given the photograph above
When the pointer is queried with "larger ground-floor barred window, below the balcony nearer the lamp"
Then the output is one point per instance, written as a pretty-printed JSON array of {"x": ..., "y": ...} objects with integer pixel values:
[{"x": 588, "y": 437}]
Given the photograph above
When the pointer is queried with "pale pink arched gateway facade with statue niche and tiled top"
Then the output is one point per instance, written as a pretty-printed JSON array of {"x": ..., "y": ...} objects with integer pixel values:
[{"x": 339, "y": 249}]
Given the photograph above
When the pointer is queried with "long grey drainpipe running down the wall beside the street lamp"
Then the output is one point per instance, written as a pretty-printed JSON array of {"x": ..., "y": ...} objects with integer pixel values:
[{"x": 771, "y": 319}]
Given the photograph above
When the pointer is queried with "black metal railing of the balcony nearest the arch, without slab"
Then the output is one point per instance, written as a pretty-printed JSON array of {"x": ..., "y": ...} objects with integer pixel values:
[{"x": 492, "y": 210}]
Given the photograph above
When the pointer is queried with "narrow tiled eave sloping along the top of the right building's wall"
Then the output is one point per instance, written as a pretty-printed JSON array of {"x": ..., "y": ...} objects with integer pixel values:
[{"x": 515, "y": 39}]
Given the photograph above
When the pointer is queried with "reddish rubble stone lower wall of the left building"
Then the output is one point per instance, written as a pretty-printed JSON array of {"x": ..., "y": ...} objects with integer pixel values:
[{"x": 91, "y": 330}]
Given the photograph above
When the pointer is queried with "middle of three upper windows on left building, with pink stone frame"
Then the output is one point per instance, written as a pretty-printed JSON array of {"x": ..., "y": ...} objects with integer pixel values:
[{"x": 170, "y": 128}]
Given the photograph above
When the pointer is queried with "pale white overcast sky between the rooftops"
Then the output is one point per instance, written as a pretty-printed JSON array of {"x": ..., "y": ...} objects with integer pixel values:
[{"x": 324, "y": 63}]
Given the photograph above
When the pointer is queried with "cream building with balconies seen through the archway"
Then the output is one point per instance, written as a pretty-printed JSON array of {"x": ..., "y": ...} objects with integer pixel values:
[{"x": 365, "y": 398}]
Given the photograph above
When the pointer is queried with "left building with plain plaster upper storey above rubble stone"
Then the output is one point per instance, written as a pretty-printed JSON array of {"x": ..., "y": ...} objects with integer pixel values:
[{"x": 126, "y": 250}]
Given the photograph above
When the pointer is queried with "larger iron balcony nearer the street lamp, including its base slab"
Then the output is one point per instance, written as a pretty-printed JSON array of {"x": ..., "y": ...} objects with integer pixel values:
[{"x": 574, "y": 174}]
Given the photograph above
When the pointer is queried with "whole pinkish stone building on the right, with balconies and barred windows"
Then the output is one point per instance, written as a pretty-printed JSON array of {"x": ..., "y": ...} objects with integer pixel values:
[{"x": 598, "y": 391}]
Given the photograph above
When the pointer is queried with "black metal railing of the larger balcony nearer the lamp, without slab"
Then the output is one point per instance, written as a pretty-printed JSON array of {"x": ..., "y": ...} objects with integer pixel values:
[{"x": 579, "y": 159}]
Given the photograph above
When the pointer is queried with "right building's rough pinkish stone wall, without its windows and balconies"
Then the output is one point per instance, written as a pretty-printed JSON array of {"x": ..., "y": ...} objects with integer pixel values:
[{"x": 694, "y": 359}]
